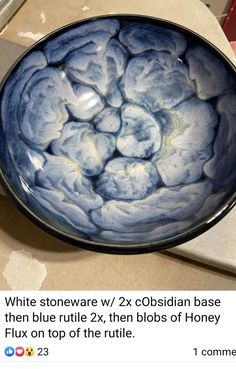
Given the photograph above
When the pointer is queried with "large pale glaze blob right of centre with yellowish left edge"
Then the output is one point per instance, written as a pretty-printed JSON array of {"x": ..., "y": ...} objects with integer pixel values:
[{"x": 188, "y": 144}]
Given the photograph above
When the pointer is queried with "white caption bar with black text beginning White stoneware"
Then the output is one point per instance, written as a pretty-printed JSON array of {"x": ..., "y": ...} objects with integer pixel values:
[{"x": 106, "y": 329}]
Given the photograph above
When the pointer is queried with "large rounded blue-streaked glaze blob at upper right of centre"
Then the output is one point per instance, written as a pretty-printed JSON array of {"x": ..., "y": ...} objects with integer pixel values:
[{"x": 156, "y": 80}]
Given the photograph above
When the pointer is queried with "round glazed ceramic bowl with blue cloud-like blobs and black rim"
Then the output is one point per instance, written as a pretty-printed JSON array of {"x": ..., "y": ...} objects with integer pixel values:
[{"x": 118, "y": 134}]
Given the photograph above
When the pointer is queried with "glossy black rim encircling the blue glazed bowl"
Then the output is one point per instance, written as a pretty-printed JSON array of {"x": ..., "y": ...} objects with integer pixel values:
[{"x": 105, "y": 247}]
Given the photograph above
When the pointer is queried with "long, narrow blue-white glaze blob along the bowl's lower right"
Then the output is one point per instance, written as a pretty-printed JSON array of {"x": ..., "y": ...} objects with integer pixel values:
[{"x": 164, "y": 204}]
